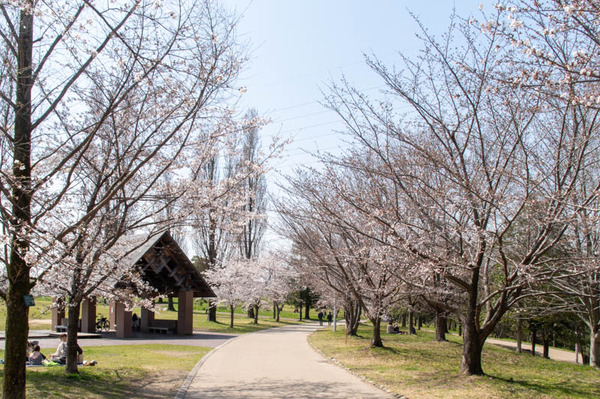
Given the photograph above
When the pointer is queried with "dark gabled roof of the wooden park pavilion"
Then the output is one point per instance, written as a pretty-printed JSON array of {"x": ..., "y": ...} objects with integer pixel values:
[{"x": 167, "y": 268}]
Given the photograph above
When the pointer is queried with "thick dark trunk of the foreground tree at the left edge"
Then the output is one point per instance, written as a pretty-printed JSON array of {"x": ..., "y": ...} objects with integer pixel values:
[{"x": 17, "y": 324}]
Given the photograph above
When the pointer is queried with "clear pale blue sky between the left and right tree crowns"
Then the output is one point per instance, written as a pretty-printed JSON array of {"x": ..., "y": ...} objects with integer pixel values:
[{"x": 299, "y": 47}]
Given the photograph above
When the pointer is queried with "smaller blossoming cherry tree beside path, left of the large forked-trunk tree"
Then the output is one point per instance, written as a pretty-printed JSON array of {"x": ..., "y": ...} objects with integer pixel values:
[{"x": 340, "y": 258}]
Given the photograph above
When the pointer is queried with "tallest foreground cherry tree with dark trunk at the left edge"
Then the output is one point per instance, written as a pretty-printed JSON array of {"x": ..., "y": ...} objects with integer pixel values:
[{"x": 73, "y": 74}]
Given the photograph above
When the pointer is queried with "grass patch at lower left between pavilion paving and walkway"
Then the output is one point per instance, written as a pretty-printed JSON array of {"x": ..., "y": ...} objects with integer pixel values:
[{"x": 123, "y": 371}]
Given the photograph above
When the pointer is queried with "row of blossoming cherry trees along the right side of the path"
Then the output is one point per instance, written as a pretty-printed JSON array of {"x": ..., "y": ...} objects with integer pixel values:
[{"x": 482, "y": 193}]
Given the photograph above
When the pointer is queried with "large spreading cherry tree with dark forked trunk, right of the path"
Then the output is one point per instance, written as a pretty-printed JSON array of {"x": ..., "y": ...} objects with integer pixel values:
[{"x": 469, "y": 166}]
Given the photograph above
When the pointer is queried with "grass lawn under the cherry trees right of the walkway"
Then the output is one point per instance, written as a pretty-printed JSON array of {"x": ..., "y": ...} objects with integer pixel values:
[{"x": 419, "y": 367}]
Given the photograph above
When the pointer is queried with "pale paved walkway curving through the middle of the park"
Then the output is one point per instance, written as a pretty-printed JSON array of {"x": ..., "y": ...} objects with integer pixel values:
[{"x": 275, "y": 363}]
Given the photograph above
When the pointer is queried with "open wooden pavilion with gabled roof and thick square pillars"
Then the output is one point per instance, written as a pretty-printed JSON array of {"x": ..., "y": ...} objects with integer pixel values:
[{"x": 166, "y": 268}]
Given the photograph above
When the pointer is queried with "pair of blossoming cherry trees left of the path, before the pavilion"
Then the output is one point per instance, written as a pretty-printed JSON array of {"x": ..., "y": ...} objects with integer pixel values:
[{"x": 113, "y": 118}]
